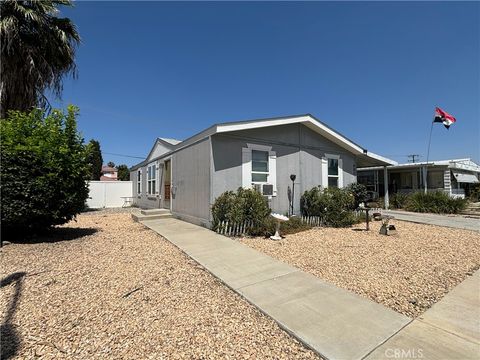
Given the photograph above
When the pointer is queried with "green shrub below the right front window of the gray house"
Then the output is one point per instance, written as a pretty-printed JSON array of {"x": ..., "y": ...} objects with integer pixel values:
[{"x": 333, "y": 205}]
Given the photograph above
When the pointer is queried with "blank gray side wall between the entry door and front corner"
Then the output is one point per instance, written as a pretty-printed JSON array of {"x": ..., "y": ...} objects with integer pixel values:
[{"x": 191, "y": 183}]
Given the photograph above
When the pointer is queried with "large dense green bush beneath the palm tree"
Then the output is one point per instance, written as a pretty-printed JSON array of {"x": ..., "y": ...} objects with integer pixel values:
[{"x": 43, "y": 171}]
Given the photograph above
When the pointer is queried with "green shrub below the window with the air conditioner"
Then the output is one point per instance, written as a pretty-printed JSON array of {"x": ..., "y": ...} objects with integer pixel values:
[{"x": 246, "y": 205}]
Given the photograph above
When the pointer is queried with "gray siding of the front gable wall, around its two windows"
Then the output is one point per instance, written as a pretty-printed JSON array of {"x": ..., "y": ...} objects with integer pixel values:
[{"x": 299, "y": 151}]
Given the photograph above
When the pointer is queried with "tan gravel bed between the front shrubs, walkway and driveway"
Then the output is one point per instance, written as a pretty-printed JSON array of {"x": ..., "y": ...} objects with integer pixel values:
[{"x": 407, "y": 272}]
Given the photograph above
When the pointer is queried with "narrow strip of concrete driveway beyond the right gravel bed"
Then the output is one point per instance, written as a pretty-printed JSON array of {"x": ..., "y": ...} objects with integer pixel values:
[{"x": 453, "y": 221}]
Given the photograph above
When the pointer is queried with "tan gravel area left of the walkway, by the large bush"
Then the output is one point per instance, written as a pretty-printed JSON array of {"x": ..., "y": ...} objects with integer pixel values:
[{"x": 106, "y": 287}]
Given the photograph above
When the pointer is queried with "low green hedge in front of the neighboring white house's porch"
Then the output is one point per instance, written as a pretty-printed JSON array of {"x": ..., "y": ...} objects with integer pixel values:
[{"x": 434, "y": 202}]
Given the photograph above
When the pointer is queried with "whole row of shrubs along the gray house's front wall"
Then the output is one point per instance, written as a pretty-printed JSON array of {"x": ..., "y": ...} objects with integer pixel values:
[{"x": 246, "y": 211}]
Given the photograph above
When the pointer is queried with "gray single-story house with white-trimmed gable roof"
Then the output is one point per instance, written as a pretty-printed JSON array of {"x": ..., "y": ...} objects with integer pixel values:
[{"x": 186, "y": 177}]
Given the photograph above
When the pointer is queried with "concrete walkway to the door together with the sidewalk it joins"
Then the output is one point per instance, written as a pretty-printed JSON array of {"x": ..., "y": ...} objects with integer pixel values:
[{"x": 334, "y": 322}]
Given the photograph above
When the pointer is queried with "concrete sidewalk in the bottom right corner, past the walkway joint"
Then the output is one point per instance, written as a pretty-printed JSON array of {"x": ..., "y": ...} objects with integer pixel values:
[{"x": 450, "y": 329}]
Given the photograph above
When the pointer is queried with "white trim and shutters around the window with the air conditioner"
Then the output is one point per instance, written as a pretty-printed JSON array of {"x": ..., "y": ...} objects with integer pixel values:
[{"x": 247, "y": 166}]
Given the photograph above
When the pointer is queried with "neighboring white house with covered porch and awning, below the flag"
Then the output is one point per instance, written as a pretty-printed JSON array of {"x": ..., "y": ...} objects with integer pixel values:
[{"x": 455, "y": 177}]
